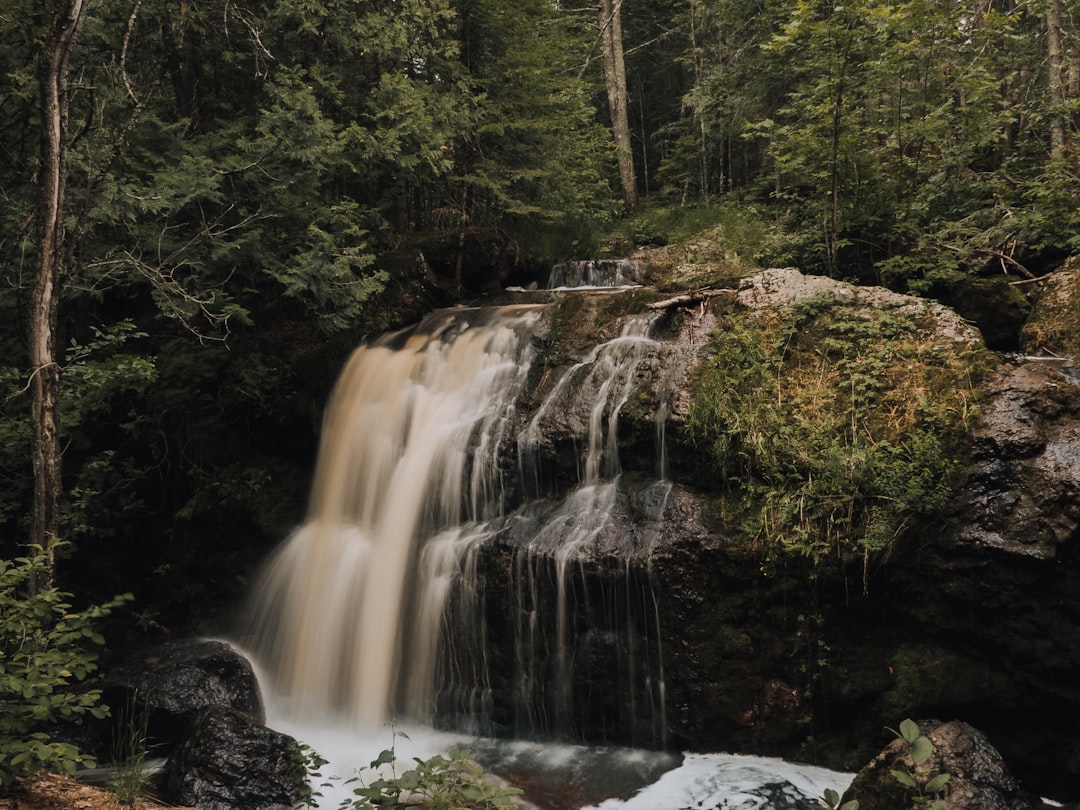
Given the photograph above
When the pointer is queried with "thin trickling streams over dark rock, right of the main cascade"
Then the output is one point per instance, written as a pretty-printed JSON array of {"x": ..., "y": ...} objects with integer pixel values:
[{"x": 588, "y": 660}]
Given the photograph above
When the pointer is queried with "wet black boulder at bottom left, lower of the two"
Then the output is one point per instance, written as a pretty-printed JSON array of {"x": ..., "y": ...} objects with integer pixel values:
[{"x": 228, "y": 762}]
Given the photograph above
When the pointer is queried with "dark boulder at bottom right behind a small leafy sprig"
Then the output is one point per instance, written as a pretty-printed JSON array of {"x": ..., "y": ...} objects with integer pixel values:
[{"x": 979, "y": 778}]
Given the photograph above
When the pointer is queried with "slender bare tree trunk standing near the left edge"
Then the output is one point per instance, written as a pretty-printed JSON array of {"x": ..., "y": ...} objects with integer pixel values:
[{"x": 45, "y": 370}]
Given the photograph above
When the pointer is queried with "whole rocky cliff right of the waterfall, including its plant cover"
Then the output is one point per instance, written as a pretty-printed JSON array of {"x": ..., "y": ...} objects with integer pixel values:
[{"x": 809, "y": 639}]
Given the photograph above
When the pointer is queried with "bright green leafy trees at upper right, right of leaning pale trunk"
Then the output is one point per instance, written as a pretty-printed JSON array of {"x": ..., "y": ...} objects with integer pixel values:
[{"x": 897, "y": 143}]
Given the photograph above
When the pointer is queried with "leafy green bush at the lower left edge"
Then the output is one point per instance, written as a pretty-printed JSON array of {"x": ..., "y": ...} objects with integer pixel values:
[{"x": 46, "y": 660}]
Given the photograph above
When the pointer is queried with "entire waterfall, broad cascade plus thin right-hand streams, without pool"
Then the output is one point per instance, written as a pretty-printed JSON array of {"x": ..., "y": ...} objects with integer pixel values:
[{"x": 389, "y": 602}]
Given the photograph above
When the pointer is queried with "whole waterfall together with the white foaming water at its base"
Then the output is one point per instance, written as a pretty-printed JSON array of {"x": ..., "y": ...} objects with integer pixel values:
[{"x": 374, "y": 611}]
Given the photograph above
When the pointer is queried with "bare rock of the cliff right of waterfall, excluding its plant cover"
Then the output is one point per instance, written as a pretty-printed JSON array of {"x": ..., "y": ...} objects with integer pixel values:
[{"x": 976, "y": 617}]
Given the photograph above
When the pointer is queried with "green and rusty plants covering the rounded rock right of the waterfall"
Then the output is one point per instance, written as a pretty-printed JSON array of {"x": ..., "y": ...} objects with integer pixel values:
[{"x": 833, "y": 427}]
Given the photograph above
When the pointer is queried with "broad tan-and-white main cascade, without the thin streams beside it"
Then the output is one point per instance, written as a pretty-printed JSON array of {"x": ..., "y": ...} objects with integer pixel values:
[{"x": 409, "y": 468}]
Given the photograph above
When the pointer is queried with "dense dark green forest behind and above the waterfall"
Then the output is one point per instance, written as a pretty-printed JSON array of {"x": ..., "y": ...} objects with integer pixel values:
[{"x": 208, "y": 205}]
